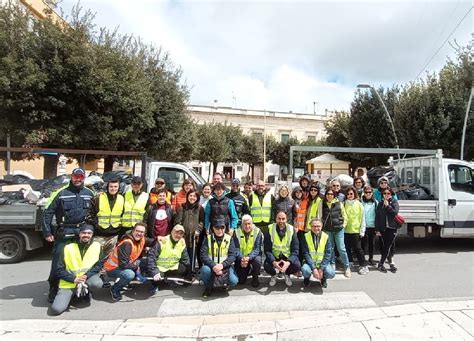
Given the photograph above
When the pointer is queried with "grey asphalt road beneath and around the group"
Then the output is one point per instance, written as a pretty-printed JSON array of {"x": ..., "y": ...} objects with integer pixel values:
[{"x": 428, "y": 269}]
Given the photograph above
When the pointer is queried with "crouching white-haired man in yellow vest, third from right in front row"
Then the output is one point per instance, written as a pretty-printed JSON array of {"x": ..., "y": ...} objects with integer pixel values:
[{"x": 248, "y": 242}]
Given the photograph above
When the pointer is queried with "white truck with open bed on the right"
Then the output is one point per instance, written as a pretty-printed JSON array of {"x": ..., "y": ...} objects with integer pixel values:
[{"x": 450, "y": 214}]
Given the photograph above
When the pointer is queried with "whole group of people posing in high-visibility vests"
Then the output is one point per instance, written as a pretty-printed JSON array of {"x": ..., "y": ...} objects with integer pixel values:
[{"x": 160, "y": 236}]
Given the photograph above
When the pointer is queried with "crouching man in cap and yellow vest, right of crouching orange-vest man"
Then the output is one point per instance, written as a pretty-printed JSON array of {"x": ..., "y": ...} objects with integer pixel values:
[{"x": 168, "y": 257}]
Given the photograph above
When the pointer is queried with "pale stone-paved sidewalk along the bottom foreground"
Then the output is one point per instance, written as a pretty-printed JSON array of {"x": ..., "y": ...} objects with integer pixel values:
[{"x": 448, "y": 320}]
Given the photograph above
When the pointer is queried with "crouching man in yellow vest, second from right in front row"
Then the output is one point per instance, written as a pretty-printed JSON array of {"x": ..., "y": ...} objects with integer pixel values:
[{"x": 281, "y": 250}]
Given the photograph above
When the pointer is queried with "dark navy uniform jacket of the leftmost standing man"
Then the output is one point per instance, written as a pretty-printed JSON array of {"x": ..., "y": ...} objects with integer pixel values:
[{"x": 70, "y": 205}]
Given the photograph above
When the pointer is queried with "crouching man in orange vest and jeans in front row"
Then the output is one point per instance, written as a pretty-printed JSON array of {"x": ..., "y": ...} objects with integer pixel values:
[{"x": 123, "y": 263}]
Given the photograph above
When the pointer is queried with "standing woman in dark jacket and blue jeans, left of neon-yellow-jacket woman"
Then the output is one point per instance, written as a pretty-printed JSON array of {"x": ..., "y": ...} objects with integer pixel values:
[{"x": 334, "y": 221}]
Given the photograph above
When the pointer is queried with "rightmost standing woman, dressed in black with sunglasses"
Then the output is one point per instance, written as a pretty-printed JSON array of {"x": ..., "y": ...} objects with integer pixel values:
[{"x": 386, "y": 226}]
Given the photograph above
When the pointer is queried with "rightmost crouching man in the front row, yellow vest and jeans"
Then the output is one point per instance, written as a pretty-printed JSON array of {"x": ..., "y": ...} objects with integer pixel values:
[{"x": 317, "y": 255}]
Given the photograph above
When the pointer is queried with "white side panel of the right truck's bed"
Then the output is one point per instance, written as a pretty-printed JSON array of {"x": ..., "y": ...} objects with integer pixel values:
[{"x": 419, "y": 211}]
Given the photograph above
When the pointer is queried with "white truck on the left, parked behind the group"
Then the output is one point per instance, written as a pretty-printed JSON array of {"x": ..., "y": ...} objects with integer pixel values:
[{"x": 20, "y": 224}]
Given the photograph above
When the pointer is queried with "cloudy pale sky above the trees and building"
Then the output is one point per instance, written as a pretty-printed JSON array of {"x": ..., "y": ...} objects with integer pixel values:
[{"x": 286, "y": 55}]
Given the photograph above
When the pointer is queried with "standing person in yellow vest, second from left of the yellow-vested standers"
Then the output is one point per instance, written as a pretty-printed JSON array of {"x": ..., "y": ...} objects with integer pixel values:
[{"x": 136, "y": 204}]
